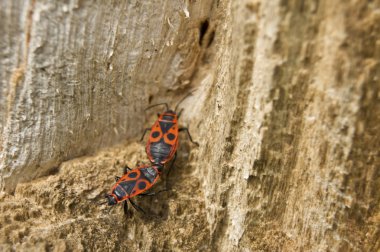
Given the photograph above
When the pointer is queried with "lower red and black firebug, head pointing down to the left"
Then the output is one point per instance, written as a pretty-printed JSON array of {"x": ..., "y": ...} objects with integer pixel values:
[{"x": 134, "y": 182}]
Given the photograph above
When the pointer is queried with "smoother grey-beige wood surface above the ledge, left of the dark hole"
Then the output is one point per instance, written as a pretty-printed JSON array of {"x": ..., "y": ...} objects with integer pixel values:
[{"x": 76, "y": 75}]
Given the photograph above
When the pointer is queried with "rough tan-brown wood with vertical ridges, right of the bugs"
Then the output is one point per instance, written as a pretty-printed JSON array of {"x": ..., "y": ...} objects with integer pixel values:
[{"x": 293, "y": 98}]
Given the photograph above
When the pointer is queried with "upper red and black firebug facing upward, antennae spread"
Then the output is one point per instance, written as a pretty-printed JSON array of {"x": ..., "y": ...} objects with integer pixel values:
[{"x": 163, "y": 140}]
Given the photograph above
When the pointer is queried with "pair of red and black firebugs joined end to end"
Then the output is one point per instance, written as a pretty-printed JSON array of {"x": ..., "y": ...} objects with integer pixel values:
[{"x": 160, "y": 148}]
